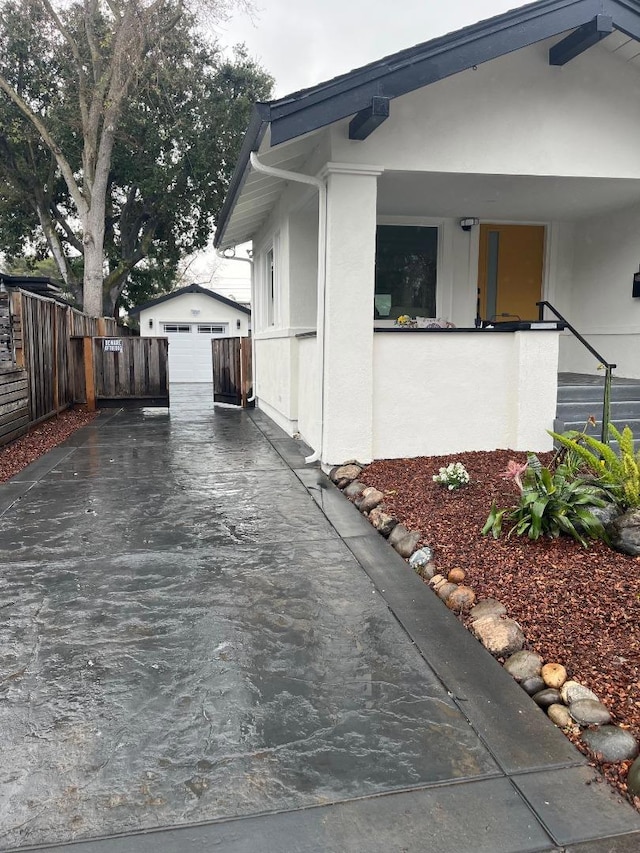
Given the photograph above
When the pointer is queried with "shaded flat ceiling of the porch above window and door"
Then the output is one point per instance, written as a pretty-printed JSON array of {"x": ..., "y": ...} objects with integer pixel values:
[{"x": 505, "y": 197}]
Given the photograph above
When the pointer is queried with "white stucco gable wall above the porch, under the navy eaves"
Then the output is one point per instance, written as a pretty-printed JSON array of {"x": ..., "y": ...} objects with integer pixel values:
[{"x": 514, "y": 115}]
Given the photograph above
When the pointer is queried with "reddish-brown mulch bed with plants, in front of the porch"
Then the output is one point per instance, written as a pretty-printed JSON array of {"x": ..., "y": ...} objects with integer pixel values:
[{"x": 579, "y": 607}]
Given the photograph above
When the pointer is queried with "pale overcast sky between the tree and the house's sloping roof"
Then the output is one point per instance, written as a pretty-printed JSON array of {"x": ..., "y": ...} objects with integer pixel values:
[{"x": 304, "y": 42}]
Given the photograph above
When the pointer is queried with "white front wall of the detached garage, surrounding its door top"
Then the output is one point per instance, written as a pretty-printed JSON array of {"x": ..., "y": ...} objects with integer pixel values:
[{"x": 180, "y": 310}]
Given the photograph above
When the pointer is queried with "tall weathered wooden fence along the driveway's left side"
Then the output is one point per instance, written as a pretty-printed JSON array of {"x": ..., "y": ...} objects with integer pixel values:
[{"x": 37, "y": 345}]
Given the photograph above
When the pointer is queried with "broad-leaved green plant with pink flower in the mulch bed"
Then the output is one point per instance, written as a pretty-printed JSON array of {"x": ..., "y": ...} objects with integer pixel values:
[{"x": 550, "y": 503}]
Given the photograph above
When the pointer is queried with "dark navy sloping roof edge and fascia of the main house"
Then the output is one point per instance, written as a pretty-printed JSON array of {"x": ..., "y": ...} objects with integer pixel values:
[{"x": 395, "y": 75}]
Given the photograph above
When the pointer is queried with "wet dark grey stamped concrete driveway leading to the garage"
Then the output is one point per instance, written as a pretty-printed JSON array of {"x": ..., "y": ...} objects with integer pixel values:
[{"x": 204, "y": 646}]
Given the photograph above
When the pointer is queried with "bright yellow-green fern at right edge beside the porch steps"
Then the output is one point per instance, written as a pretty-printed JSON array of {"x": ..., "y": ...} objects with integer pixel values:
[{"x": 618, "y": 473}]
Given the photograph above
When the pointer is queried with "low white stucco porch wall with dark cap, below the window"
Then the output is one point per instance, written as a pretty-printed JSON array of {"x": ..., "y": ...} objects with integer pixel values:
[{"x": 450, "y": 392}]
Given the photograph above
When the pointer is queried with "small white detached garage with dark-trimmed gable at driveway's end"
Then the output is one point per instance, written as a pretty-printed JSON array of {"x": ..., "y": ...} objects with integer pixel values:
[{"x": 190, "y": 318}]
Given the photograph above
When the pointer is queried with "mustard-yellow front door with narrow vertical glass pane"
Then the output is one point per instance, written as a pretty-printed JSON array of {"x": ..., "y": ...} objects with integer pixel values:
[{"x": 510, "y": 271}]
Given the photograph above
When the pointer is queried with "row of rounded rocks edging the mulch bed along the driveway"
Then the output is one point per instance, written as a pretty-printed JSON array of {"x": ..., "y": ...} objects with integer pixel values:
[{"x": 571, "y": 706}]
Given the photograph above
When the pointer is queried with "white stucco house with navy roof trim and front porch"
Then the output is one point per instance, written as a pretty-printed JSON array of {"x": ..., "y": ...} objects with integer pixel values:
[{"x": 460, "y": 181}]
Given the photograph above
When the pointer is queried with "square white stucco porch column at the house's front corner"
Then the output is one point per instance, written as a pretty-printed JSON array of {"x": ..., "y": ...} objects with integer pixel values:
[{"x": 350, "y": 272}]
